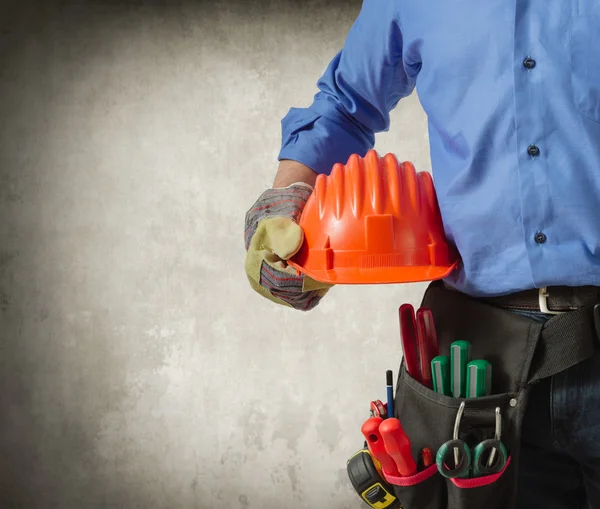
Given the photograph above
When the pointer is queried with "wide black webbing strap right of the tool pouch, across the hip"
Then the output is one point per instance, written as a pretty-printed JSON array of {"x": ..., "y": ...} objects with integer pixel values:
[{"x": 566, "y": 340}]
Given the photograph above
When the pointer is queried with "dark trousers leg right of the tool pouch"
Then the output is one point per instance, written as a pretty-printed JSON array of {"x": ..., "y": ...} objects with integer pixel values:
[{"x": 560, "y": 456}]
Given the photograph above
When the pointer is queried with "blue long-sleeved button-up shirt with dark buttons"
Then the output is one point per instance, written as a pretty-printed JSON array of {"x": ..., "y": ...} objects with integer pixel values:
[{"x": 511, "y": 90}]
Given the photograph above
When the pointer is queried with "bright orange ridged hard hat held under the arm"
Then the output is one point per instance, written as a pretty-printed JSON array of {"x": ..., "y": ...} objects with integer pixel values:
[{"x": 372, "y": 221}]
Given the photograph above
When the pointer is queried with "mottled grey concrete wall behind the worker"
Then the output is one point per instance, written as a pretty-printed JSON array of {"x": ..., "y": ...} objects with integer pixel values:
[{"x": 137, "y": 367}]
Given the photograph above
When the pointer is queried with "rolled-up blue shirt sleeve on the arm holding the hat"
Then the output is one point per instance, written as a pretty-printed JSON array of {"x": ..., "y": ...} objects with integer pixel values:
[{"x": 358, "y": 90}]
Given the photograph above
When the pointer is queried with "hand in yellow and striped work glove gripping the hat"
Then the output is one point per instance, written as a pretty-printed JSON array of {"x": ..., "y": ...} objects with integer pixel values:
[{"x": 272, "y": 236}]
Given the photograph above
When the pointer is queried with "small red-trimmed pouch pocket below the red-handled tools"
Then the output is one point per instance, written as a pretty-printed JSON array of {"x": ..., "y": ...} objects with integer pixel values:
[{"x": 425, "y": 490}]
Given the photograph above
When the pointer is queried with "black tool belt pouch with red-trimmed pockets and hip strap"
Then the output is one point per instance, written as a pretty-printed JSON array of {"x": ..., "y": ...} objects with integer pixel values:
[{"x": 521, "y": 351}]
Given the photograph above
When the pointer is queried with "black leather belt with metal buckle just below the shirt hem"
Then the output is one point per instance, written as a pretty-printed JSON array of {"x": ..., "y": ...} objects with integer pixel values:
[{"x": 551, "y": 299}]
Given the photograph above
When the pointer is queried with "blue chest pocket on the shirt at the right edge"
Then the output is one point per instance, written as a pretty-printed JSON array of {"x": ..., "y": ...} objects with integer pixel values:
[{"x": 585, "y": 65}]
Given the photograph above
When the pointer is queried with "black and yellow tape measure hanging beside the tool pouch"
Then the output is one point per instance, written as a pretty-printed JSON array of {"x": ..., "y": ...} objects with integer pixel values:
[{"x": 369, "y": 484}]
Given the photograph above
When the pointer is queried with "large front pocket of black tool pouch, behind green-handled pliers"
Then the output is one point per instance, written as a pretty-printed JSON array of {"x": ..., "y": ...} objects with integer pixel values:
[{"x": 428, "y": 419}]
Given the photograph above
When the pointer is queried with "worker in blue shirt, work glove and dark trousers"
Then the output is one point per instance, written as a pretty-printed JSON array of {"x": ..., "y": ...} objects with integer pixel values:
[{"x": 511, "y": 90}]
